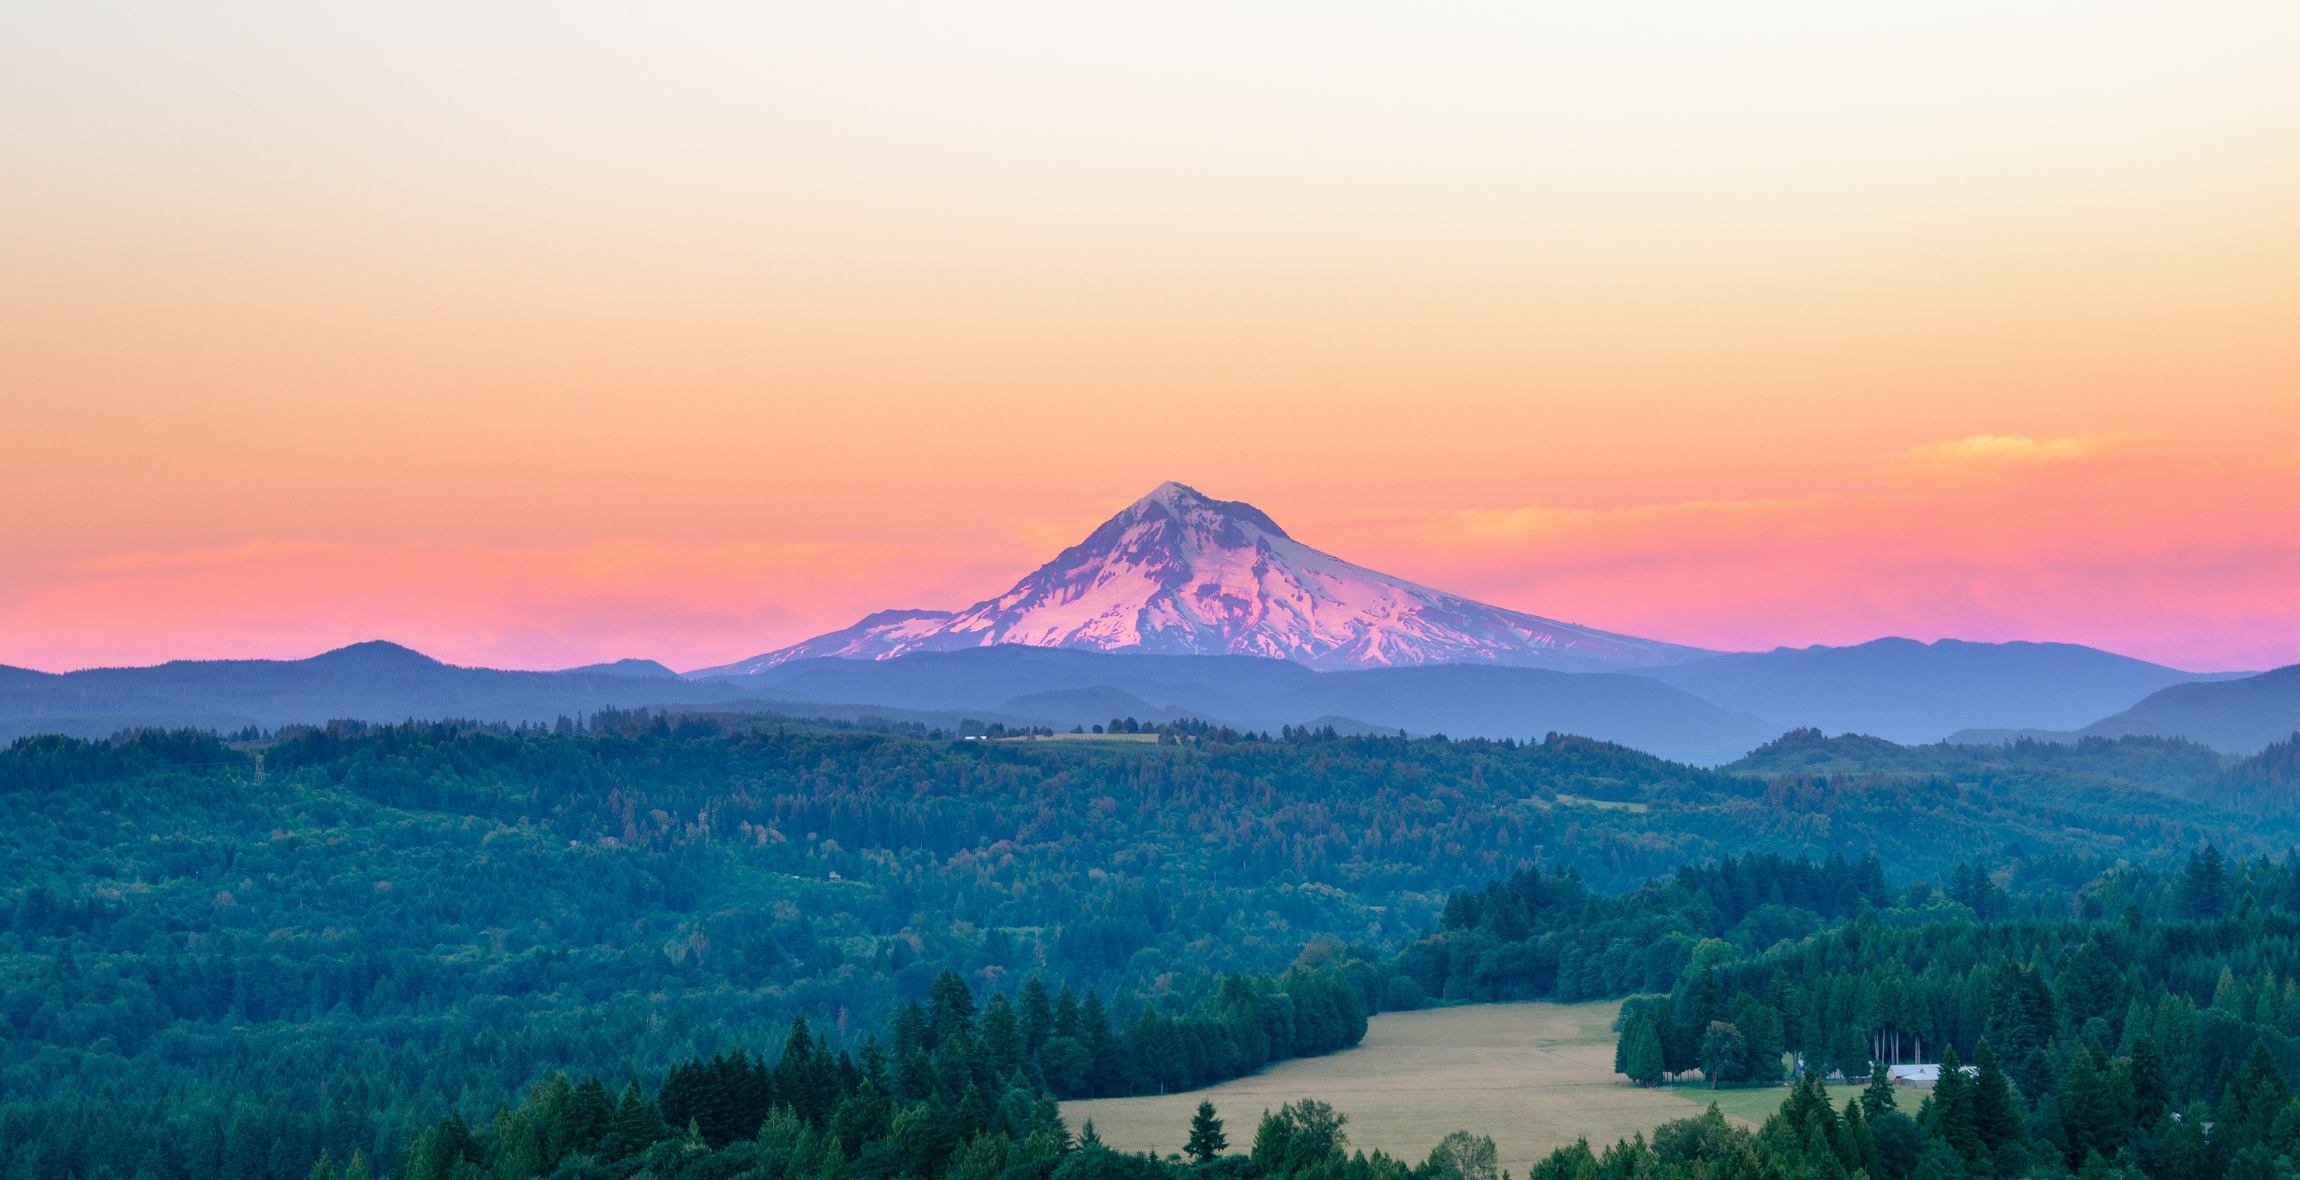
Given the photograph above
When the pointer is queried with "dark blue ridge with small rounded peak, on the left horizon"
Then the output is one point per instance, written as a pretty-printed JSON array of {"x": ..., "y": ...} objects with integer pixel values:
[{"x": 369, "y": 682}]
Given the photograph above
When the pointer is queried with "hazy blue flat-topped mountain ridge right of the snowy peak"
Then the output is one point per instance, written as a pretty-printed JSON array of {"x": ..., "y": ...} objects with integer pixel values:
[{"x": 1917, "y": 694}]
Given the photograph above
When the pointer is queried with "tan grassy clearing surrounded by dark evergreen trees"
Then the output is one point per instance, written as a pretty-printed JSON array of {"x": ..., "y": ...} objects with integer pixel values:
[{"x": 1531, "y": 1075}]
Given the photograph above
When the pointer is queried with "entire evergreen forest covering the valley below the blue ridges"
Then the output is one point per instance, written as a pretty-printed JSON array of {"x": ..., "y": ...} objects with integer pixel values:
[{"x": 710, "y": 947}]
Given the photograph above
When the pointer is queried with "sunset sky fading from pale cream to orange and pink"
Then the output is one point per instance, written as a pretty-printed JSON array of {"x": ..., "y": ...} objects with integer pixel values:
[{"x": 544, "y": 335}]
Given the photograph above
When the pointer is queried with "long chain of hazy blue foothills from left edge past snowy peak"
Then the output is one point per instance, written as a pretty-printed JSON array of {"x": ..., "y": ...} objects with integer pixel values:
[{"x": 933, "y": 689}]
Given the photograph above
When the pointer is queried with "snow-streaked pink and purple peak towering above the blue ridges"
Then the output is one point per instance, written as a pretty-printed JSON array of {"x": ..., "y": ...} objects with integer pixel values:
[{"x": 1179, "y": 574}]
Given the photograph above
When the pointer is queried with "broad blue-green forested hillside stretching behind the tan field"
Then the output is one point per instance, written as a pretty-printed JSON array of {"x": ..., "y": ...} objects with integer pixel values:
[{"x": 436, "y": 917}]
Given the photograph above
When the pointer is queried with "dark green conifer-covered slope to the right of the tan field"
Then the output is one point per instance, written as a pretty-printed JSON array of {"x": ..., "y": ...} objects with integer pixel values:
[{"x": 2142, "y": 1029}]
